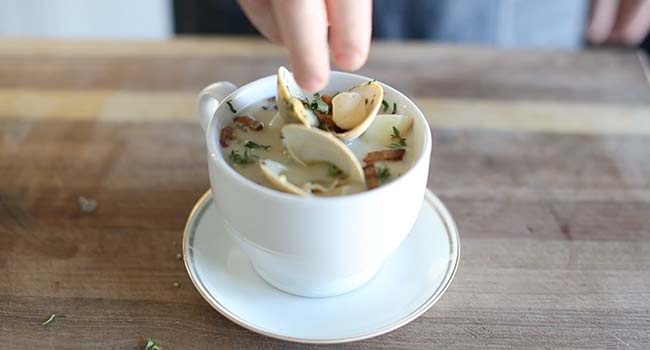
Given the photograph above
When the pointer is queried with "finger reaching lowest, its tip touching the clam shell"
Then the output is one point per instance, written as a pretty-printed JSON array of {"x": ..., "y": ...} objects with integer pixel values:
[{"x": 303, "y": 24}]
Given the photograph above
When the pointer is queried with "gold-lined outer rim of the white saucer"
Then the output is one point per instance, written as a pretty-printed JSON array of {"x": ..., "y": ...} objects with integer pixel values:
[{"x": 450, "y": 272}]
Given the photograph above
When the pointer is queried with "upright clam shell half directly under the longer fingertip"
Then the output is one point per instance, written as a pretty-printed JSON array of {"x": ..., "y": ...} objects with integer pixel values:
[{"x": 290, "y": 98}]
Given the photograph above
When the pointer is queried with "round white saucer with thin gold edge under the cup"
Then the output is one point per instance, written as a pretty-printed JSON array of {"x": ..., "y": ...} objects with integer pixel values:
[{"x": 408, "y": 284}]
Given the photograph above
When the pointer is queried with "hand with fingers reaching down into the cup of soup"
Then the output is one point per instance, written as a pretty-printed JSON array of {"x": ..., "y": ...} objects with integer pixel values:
[{"x": 302, "y": 26}]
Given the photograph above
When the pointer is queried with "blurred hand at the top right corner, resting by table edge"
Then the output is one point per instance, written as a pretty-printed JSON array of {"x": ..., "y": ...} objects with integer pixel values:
[{"x": 624, "y": 22}]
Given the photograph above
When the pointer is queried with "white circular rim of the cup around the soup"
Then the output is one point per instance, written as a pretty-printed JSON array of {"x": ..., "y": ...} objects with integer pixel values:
[{"x": 214, "y": 152}]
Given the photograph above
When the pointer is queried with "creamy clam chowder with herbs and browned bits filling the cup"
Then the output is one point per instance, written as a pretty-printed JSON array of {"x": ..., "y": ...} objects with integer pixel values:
[{"x": 254, "y": 137}]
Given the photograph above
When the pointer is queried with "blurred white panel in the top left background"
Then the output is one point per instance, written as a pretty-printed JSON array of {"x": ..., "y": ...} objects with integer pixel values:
[{"x": 141, "y": 19}]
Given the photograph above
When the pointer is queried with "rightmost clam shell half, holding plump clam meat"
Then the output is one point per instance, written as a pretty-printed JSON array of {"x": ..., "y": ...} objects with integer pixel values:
[{"x": 354, "y": 110}]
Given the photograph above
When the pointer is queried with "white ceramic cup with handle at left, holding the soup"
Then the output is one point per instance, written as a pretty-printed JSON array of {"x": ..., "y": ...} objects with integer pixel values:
[{"x": 320, "y": 246}]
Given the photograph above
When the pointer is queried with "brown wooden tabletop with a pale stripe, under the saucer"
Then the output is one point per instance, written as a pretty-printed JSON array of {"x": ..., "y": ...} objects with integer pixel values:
[{"x": 542, "y": 157}]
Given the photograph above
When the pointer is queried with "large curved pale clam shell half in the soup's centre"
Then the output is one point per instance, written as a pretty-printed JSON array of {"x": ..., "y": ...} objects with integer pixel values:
[{"x": 311, "y": 145}]
